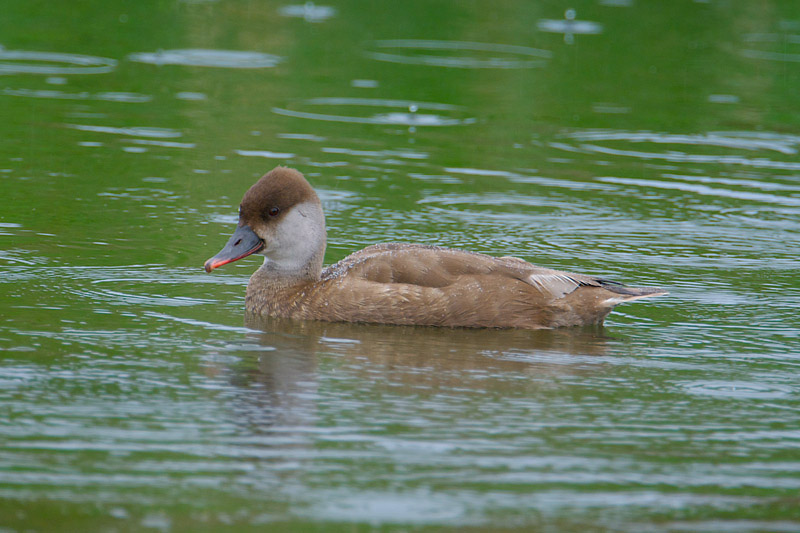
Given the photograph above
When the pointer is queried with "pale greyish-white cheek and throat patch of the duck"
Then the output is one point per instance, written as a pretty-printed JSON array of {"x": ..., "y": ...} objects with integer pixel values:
[{"x": 297, "y": 246}]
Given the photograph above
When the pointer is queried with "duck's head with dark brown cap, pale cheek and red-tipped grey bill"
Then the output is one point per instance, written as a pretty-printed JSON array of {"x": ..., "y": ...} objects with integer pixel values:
[{"x": 281, "y": 218}]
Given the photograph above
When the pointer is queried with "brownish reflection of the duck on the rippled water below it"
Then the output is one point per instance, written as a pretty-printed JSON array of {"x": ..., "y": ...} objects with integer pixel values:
[{"x": 295, "y": 356}]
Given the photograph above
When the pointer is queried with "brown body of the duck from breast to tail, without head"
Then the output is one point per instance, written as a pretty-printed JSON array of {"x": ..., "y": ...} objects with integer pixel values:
[{"x": 428, "y": 285}]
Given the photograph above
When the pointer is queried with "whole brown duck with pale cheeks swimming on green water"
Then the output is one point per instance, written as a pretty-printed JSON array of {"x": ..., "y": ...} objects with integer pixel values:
[{"x": 281, "y": 218}]
